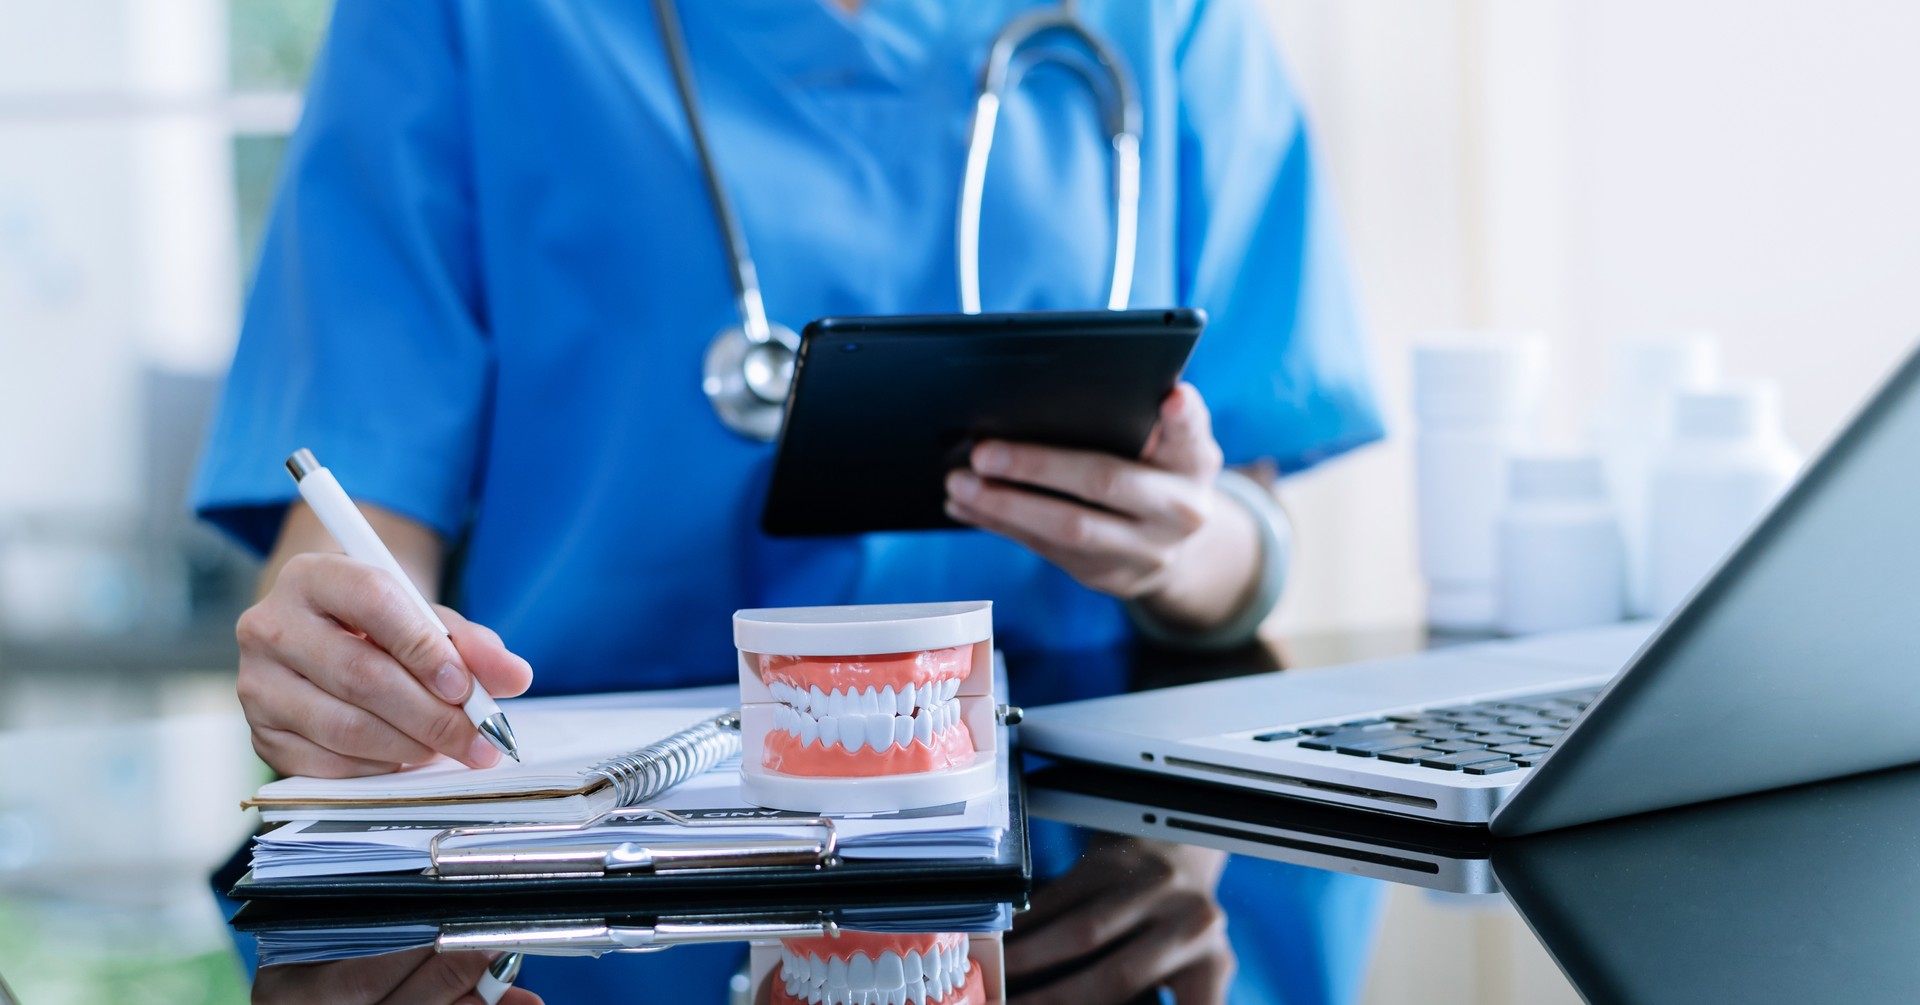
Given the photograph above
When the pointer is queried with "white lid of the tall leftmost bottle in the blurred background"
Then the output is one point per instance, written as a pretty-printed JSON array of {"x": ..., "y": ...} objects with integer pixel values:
[{"x": 1479, "y": 380}]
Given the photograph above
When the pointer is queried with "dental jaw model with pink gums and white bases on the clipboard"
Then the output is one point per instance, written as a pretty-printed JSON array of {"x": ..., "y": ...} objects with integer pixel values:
[{"x": 861, "y": 710}]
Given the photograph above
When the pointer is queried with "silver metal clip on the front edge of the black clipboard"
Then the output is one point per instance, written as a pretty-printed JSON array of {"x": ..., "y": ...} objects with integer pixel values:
[{"x": 554, "y": 860}]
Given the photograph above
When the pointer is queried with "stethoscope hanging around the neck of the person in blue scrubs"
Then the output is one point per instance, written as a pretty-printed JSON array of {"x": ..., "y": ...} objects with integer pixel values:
[{"x": 750, "y": 366}]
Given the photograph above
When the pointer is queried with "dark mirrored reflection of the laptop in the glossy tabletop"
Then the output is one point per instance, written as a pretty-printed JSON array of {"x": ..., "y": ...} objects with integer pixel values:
[{"x": 1806, "y": 895}]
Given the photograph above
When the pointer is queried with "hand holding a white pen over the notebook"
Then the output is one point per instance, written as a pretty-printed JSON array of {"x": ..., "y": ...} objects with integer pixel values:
[{"x": 347, "y": 670}]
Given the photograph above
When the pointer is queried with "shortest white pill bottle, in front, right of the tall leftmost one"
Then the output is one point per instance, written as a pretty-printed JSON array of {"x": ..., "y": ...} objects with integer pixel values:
[{"x": 1562, "y": 554}]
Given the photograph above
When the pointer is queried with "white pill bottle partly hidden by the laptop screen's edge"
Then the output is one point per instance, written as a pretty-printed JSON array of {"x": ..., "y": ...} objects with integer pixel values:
[{"x": 1719, "y": 472}]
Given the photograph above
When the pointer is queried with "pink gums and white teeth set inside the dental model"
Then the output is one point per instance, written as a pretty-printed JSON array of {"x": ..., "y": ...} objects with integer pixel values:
[{"x": 867, "y": 716}]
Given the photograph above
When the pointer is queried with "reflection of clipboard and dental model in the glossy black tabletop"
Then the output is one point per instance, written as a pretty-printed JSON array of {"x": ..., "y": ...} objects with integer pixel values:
[{"x": 892, "y": 956}]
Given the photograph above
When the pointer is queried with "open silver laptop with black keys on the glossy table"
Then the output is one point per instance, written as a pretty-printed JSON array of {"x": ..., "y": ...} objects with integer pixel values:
[{"x": 1798, "y": 660}]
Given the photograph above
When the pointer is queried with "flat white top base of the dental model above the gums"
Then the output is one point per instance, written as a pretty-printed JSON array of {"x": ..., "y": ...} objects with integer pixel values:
[{"x": 867, "y": 629}]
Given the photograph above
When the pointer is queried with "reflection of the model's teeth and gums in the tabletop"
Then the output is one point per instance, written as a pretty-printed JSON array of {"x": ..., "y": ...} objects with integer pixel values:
[{"x": 871, "y": 969}]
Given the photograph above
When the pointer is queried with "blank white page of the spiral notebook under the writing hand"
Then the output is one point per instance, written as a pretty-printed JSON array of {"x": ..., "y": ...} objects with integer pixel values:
[{"x": 560, "y": 747}]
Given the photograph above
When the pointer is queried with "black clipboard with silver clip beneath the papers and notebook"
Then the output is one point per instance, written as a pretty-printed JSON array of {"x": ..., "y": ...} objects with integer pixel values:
[{"x": 629, "y": 875}]
